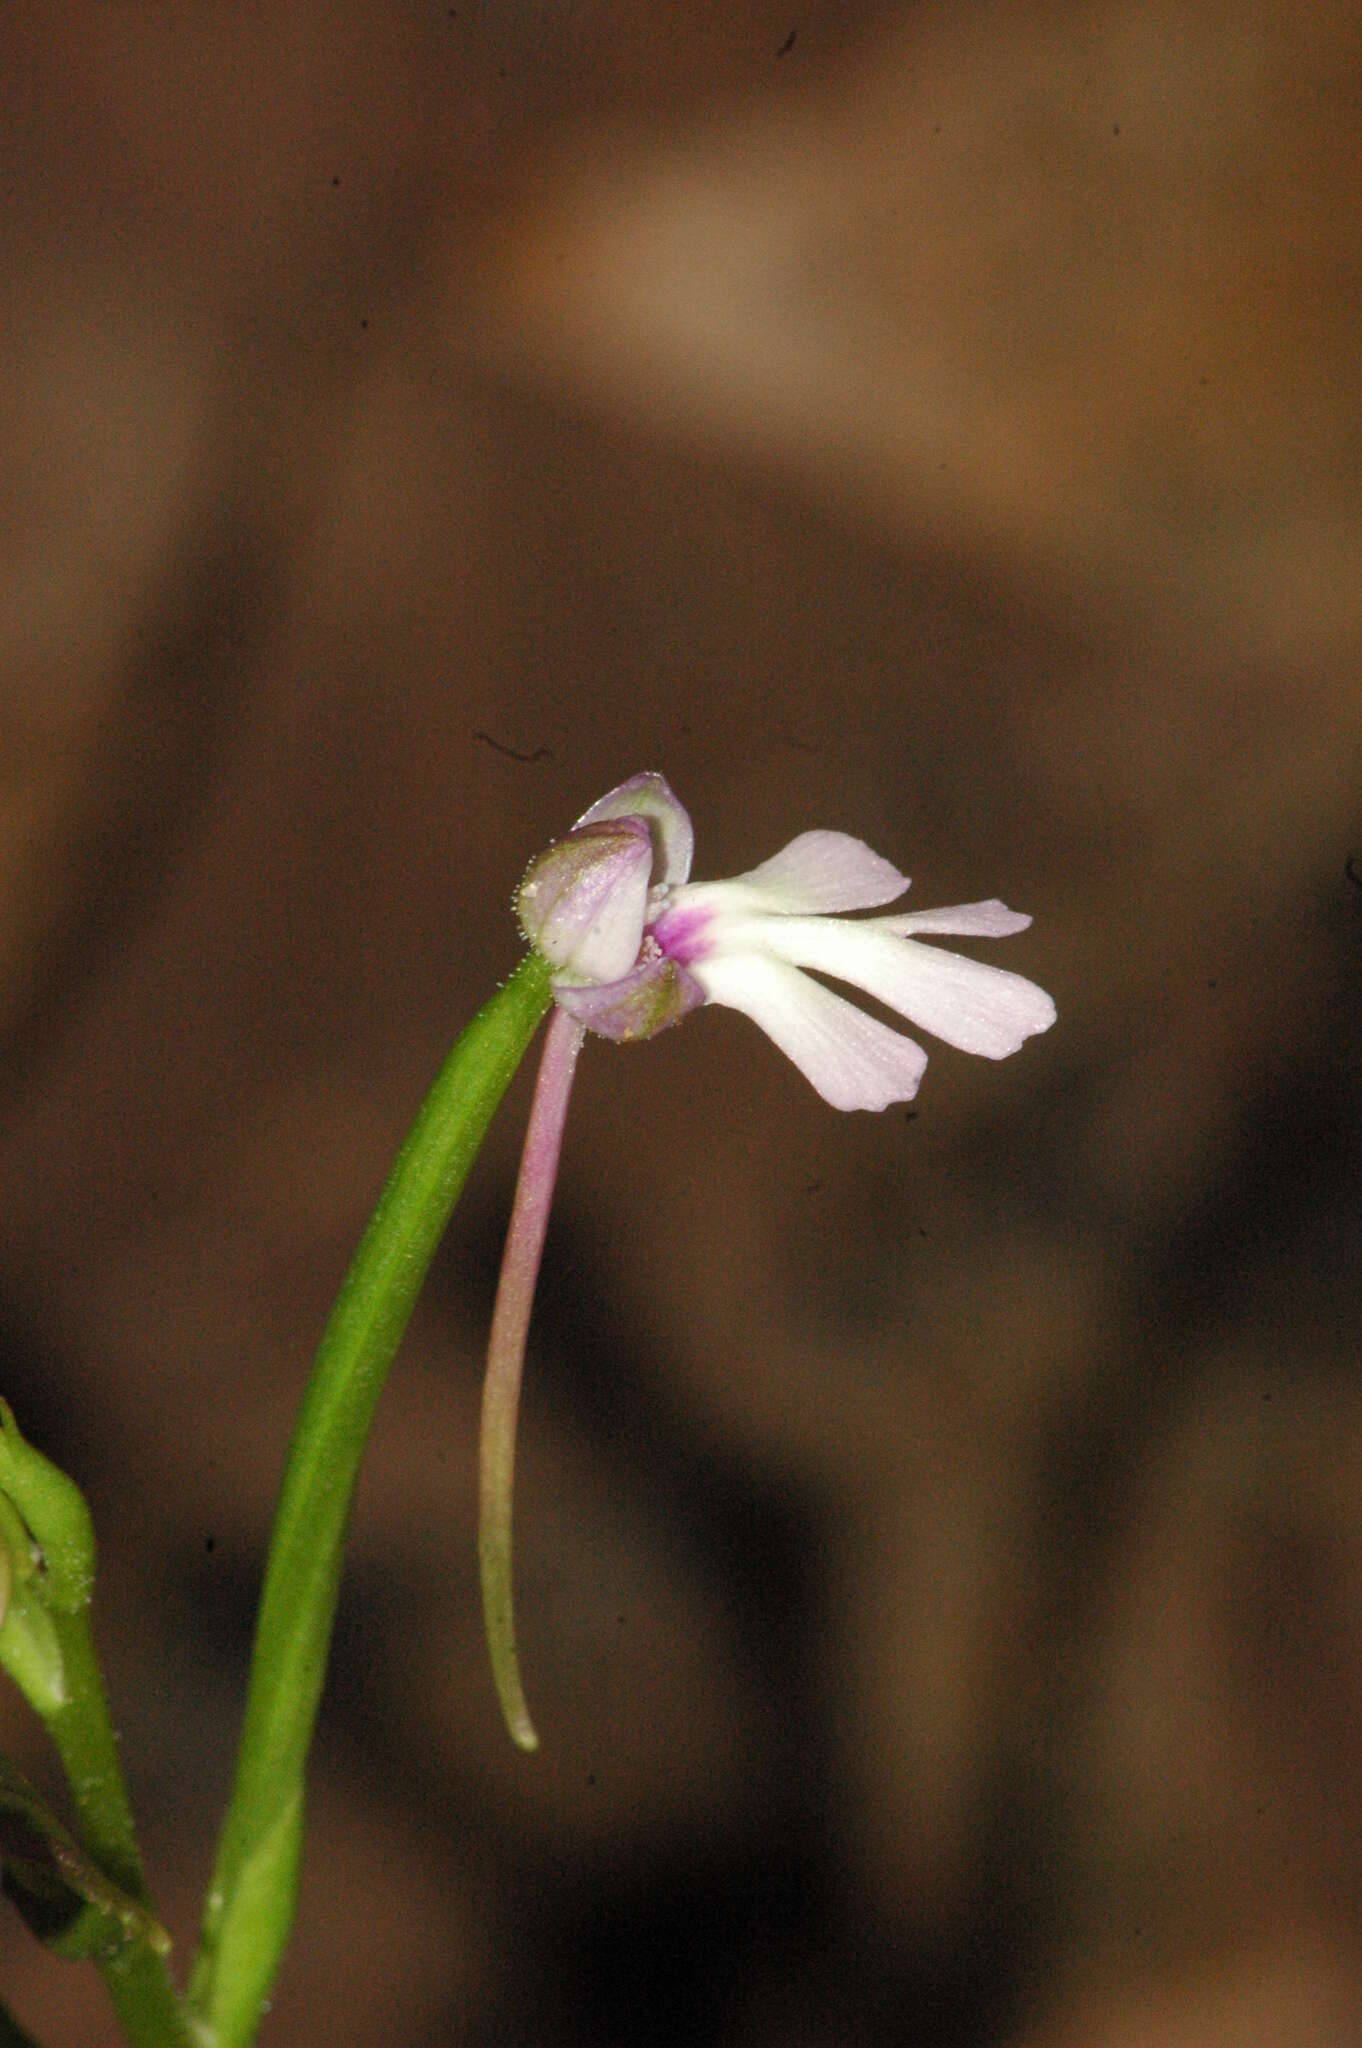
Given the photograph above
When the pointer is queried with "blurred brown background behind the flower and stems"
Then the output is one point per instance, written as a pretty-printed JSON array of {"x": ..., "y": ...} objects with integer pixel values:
[{"x": 941, "y": 1537}]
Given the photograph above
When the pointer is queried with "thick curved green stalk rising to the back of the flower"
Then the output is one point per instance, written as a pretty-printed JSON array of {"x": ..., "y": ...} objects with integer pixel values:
[{"x": 253, "y": 1893}]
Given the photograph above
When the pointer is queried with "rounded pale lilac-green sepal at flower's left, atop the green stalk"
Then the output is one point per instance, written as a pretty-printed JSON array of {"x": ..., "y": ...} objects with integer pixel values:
[{"x": 585, "y": 900}]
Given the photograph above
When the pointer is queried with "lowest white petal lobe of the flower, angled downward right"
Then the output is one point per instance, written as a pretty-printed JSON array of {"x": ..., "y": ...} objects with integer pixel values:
[{"x": 855, "y": 1062}]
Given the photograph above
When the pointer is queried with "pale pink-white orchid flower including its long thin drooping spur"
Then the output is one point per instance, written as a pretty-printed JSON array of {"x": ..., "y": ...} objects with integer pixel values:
[{"x": 636, "y": 947}]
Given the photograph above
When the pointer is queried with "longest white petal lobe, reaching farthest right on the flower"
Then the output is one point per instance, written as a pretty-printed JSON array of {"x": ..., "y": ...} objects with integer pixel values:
[{"x": 968, "y": 1005}]
